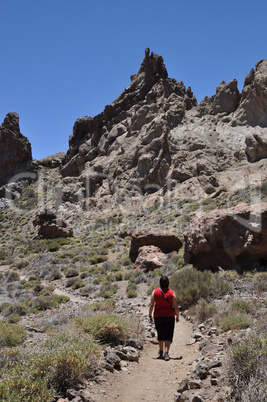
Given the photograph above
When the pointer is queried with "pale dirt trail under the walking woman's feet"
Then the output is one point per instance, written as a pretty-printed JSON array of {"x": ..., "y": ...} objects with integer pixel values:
[{"x": 152, "y": 379}]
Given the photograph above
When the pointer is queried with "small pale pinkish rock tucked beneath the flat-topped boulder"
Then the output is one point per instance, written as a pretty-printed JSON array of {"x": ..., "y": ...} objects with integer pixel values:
[{"x": 149, "y": 258}]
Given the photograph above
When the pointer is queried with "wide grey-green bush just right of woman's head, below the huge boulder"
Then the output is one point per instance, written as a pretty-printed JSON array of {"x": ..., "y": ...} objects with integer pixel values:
[{"x": 191, "y": 285}]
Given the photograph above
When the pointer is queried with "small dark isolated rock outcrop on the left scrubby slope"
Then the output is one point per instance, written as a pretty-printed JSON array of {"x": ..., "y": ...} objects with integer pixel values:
[{"x": 51, "y": 227}]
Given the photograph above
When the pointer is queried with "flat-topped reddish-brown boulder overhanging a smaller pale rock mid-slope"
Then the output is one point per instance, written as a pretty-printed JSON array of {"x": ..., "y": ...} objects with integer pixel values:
[{"x": 164, "y": 240}]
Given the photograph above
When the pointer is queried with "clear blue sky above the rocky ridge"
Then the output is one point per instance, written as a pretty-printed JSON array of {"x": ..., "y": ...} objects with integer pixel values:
[{"x": 63, "y": 59}]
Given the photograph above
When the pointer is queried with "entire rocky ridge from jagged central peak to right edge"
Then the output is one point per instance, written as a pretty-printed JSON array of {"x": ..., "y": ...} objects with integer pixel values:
[{"x": 154, "y": 138}]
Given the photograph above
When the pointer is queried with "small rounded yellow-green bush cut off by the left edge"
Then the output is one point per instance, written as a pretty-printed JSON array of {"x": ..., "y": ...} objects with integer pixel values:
[{"x": 11, "y": 335}]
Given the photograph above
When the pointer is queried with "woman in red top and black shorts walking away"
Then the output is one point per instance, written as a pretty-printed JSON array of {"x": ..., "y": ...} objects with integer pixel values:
[{"x": 164, "y": 303}]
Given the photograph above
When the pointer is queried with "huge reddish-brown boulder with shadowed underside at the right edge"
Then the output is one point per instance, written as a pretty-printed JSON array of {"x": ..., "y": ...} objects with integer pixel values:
[{"x": 230, "y": 238}]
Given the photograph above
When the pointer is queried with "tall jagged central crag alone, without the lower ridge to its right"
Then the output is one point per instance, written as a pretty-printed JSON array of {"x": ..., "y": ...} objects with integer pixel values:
[{"x": 125, "y": 149}]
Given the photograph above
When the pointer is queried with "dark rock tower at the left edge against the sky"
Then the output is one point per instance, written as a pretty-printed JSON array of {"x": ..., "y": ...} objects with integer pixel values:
[{"x": 15, "y": 149}]
